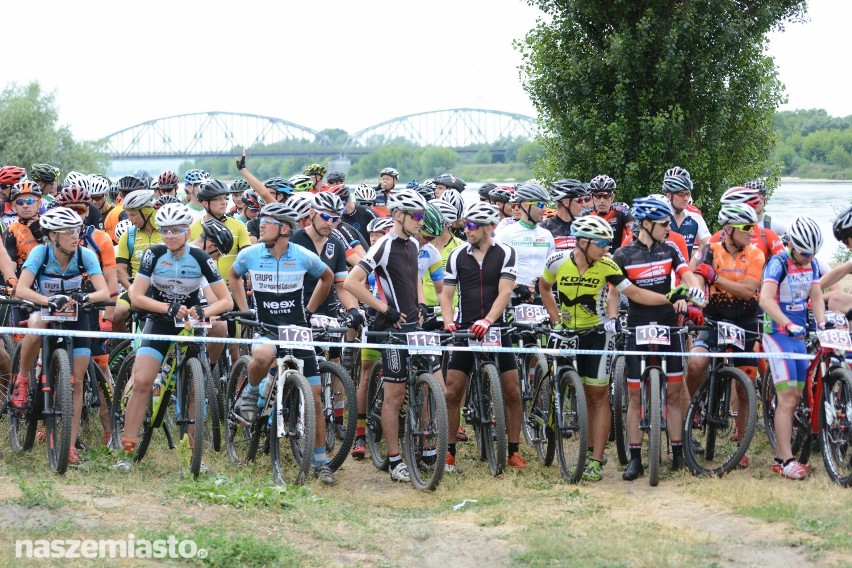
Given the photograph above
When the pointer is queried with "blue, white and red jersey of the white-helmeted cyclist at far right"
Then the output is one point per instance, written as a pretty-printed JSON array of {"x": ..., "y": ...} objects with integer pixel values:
[{"x": 794, "y": 289}]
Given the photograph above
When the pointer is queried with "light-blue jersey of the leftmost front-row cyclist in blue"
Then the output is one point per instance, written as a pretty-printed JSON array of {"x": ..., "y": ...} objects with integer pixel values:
[{"x": 51, "y": 279}]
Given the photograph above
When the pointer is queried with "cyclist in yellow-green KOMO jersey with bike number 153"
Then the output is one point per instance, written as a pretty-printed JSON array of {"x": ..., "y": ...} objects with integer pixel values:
[{"x": 580, "y": 277}]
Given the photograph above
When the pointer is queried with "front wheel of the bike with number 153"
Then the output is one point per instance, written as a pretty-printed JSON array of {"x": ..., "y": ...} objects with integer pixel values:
[{"x": 571, "y": 428}]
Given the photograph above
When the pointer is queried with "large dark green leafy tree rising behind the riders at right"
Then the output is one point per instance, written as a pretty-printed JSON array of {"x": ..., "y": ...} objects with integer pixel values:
[{"x": 632, "y": 88}]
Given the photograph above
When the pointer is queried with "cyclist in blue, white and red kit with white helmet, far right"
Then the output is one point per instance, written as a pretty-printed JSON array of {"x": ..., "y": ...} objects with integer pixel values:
[{"x": 790, "y": 279}]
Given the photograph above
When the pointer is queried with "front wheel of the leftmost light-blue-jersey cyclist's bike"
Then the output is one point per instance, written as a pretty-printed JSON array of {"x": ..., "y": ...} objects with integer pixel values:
[{"x": 58, "y": 420}]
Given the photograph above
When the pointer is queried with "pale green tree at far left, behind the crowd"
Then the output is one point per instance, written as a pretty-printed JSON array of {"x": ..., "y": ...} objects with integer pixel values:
[{"x": 29, "y": 134}]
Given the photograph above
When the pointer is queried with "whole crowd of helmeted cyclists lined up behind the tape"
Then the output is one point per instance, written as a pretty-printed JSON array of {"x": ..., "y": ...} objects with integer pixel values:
[{"x": 390, "y": 257}]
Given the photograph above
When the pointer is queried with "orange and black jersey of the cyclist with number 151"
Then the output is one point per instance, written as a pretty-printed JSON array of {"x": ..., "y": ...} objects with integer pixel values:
[{"x": 749, "y": 263}]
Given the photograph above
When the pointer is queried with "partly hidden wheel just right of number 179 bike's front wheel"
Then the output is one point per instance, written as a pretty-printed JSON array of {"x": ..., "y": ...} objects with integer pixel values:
[{"x": 340, "y": 412}]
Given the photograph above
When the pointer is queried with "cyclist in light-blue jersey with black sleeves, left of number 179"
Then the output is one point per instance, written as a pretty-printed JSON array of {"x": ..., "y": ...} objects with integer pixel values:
[{"x": 166, "y": 299}]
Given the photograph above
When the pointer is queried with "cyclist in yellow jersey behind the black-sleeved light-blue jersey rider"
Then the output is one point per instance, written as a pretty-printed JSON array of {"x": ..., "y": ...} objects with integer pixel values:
[{"x": 139, "y": 206}]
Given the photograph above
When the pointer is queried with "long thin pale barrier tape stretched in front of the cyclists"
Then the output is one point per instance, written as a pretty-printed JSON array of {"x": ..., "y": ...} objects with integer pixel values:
[{"x": 381, "y": 346}]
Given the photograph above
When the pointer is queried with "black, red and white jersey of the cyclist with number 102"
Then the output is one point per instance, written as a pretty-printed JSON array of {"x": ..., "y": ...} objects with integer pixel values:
[{"x": 651, "y": 268}]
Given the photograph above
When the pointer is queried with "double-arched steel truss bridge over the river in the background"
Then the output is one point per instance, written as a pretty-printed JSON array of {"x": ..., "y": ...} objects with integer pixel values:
[{"x": 221, "y": 134}]
